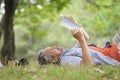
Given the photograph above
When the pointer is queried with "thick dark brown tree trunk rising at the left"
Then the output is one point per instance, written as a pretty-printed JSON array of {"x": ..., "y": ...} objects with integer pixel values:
[{"x": 8, "y": 48}]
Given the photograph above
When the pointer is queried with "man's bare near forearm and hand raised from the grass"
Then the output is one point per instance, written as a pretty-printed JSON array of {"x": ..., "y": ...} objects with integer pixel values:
[{"x": 87, "y": 57}]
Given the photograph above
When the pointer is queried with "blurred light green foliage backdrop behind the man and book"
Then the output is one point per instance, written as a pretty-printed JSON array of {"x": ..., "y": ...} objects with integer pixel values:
[{"x": 100, "y": 18}]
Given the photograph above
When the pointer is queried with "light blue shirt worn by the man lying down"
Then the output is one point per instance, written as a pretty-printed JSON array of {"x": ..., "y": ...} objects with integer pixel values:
[{"x": 73, "y": 57}]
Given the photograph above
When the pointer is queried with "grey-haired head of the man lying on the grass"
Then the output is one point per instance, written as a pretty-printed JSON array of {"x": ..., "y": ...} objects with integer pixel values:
[{"x": 49, "y": 55}]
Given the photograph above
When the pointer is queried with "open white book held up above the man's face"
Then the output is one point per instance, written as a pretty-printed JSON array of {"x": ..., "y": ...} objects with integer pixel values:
[{"x": 68, "y": 23}]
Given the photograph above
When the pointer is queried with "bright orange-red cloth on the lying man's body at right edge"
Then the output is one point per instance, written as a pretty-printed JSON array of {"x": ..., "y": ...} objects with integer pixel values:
[{"x": 109, "y": 51}]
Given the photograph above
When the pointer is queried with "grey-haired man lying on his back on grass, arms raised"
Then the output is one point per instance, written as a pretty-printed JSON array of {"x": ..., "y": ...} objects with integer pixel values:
[{"x": 80, "y": 54}]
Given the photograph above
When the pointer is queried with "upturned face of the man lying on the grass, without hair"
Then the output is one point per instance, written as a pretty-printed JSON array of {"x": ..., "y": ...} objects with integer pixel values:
[{"x": 54, "y": 52}]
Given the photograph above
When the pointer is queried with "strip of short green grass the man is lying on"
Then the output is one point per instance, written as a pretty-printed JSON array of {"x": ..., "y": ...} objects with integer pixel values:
[{"x": 55, "y": 72}]
